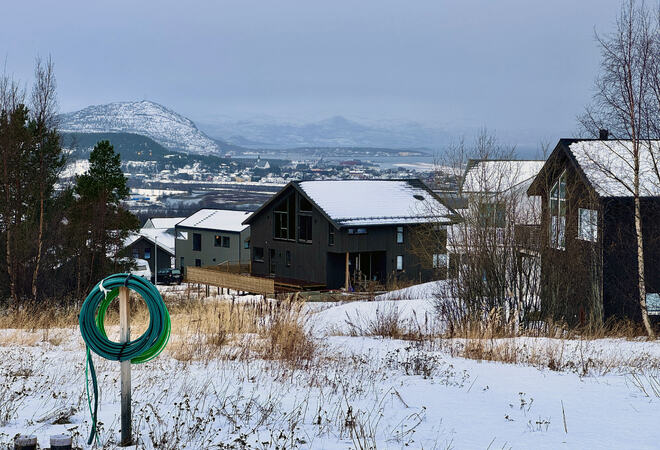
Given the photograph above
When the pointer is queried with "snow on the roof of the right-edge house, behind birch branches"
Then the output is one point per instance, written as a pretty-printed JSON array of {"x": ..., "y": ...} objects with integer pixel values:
[{"x": 608, "y": 164}]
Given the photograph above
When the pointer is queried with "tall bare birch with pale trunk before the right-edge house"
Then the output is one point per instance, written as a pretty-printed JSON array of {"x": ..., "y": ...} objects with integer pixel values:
[{"x": 624, "y": 104}]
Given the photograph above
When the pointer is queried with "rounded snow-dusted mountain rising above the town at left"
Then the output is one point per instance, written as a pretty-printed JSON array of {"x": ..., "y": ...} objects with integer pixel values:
[{"x": 161, "y": 124}]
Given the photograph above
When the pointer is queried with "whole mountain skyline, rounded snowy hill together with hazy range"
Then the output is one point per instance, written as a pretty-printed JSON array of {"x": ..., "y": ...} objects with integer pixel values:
[{"x": 218, "y": 137}]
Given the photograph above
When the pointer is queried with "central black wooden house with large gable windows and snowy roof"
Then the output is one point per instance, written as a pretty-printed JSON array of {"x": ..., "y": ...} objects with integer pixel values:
[{"x": 338, "y": 233}]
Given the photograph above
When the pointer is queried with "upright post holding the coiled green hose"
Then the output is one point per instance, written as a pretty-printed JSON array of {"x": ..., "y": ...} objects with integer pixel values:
[{"x": 125, "y": 336}]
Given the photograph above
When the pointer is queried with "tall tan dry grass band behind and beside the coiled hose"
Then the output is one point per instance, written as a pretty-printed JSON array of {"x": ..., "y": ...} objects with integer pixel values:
[{"x": 202, "y": 329}]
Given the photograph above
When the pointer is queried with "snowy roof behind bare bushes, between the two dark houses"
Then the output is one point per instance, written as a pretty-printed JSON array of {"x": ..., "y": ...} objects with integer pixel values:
[{"x": 489, "y": 175}]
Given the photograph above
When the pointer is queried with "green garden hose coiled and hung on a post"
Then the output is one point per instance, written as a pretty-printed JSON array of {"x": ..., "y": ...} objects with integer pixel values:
[{"x": 142, "y": 349}]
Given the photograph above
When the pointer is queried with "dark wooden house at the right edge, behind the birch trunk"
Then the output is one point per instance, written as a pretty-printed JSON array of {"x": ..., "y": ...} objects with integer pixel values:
[{"x": 587, "y": 235}]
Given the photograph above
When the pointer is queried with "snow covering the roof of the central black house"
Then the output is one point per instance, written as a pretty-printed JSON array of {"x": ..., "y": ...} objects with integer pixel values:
[{"x": 374, "y": 202}]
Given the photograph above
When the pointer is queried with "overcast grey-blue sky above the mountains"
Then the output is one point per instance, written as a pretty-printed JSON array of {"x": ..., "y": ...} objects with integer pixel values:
[{"x": 518, "y": 66}]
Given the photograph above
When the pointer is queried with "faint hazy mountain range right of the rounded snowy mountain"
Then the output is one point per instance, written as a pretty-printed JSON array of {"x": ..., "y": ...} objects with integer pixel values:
[{"x": 333, "y": 132}]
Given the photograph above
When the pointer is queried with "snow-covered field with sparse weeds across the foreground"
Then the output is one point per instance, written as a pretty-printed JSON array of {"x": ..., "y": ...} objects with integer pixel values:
[{"x": 358, "y": 392}]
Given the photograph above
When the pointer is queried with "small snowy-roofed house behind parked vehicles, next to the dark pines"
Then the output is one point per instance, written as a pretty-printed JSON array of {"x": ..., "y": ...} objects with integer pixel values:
[{"x": 155, "y": 245}]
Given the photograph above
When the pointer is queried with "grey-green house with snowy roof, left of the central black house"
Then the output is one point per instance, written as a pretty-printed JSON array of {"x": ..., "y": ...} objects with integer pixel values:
[{"x": 212, "y": 237}]
